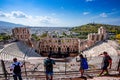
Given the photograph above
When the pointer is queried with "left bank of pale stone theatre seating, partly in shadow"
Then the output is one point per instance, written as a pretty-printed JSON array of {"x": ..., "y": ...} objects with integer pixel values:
[{"x": 18, "y": 50}]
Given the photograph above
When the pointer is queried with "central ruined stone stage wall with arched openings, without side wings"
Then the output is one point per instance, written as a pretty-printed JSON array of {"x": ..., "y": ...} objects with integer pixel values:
[{"x": 56, "y": 45}]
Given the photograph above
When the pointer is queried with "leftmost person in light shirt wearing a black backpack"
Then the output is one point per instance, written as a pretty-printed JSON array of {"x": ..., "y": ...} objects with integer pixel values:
[{"x": 16, "y": 68}]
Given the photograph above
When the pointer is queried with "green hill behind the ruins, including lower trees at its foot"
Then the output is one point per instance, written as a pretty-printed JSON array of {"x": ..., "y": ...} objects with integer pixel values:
[{"x": 84, "y": 30}]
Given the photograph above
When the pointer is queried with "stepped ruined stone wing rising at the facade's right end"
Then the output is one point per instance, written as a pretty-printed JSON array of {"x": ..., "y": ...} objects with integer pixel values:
[{"x": 93, "y": 38}]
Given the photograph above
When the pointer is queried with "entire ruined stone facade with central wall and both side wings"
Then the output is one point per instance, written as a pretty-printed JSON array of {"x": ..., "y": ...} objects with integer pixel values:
[{"x": 60, "y": 45}]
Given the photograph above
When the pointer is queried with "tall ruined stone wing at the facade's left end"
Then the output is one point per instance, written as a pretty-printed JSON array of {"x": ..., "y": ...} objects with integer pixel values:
[{"x": 21, "y": 34}]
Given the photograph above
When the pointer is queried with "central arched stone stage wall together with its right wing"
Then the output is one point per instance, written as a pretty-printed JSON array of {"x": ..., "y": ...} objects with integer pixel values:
[{"x": 75, "y": 45}]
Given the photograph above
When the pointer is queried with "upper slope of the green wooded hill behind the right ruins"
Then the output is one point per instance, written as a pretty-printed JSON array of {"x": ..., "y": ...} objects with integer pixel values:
[{"x": 93, "y": 28}]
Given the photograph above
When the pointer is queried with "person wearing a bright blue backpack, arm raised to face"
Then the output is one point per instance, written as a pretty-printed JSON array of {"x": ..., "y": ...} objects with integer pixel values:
[{"x": 83, "y": 64}]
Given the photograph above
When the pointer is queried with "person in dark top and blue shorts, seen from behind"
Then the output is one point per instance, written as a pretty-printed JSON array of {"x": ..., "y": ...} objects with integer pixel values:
[{"x": 48, "y": 64}]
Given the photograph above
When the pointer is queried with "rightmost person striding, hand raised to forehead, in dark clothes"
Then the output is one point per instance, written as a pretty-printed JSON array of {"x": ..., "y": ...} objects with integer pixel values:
[{"x": 107, "y": 62}]
